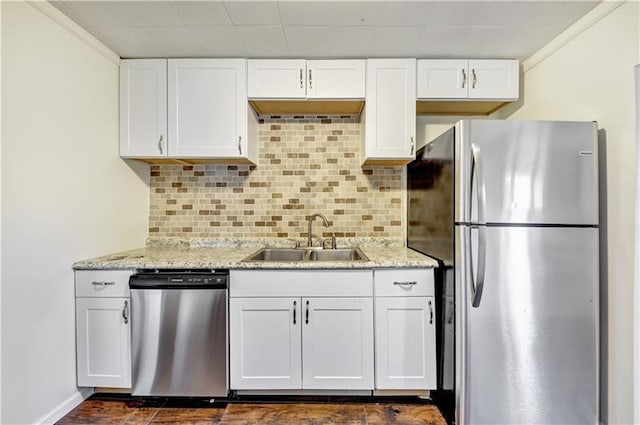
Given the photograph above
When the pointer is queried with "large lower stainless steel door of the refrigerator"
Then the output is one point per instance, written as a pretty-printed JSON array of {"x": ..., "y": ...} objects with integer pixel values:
[{"x": 529, "y": 350}]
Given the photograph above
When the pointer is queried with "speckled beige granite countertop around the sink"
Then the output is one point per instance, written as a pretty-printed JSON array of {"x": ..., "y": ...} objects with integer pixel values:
[{"x": 230, "y": 256}]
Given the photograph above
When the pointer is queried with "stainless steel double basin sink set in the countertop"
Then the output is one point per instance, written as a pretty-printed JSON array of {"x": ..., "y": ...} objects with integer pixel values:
[{"x": 283, "y": 255}]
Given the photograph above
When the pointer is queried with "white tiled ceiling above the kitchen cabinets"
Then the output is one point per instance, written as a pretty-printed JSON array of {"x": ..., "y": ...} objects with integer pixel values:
[{"x": 318, "y": 29}]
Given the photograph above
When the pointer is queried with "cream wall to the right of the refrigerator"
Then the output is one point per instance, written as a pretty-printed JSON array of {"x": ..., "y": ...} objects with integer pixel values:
[{"x": 590, "y": 77}]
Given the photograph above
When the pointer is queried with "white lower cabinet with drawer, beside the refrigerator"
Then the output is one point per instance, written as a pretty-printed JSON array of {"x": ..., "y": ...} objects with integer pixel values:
[{"x": 405, "y": 321}]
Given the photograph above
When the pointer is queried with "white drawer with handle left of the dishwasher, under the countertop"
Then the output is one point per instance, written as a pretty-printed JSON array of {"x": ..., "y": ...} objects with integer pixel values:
[{"x": 102, "y": 283}]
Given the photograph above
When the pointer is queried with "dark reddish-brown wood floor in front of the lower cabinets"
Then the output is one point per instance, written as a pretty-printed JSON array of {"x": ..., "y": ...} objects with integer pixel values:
[{"x": 132, "y": 411}]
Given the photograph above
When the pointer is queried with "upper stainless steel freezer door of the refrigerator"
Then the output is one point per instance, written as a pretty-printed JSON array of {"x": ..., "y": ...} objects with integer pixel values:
[{"x": 526, "y": 172}]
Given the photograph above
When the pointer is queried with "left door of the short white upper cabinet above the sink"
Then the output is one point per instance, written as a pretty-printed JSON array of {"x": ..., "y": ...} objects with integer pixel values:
[{"x": 276, "y": 78}]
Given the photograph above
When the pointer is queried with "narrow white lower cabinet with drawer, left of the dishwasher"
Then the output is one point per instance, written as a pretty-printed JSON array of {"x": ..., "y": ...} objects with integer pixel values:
[{"x": 103, "y": 328}]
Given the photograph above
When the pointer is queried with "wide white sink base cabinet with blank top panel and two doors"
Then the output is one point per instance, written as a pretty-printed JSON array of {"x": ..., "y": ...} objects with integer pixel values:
[{"x": 309, "y": 340}]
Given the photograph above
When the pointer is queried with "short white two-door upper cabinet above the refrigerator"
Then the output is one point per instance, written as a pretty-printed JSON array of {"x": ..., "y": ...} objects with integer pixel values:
[{"x": 468, "y": 79}]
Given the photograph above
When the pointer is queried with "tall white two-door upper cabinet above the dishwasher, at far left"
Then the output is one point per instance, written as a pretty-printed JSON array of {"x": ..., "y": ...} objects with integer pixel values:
[{"x": 186, "y": 109}]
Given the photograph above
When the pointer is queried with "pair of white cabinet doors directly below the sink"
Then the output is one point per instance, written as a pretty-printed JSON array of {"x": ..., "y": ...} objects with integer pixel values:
[{"x": 301, "y": 343}]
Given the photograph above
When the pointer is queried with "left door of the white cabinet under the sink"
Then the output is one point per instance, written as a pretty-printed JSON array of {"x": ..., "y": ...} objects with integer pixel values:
[{"x": 265, "y": 343}]
